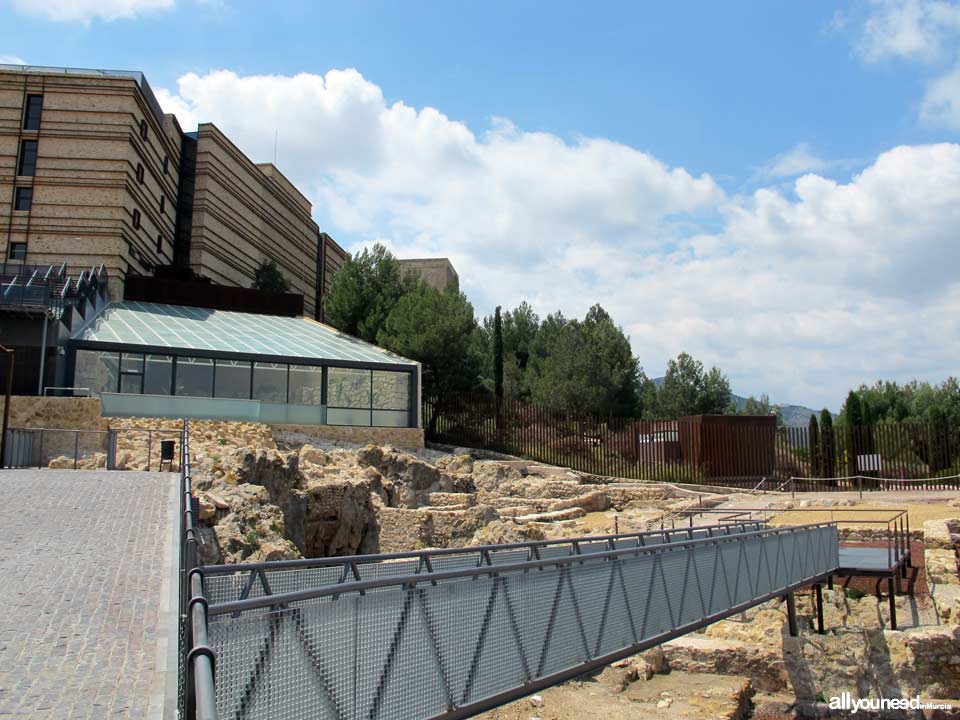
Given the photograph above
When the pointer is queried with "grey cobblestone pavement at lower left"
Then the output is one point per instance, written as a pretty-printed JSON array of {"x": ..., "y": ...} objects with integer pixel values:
[{"x": 84, "y": 565}]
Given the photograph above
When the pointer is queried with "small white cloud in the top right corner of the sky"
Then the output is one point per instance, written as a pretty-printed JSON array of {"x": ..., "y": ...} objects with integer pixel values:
[{"x": 914, "y": 29}]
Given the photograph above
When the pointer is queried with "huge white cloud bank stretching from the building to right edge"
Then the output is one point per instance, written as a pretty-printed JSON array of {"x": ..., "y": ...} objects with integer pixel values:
[{"x": 799, "y": 295}]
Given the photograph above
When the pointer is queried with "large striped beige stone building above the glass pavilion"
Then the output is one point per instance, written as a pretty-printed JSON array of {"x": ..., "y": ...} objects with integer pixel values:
[{"x": 97, "y": 175}]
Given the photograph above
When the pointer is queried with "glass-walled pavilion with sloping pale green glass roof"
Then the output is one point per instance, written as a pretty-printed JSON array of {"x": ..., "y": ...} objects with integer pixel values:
[{"x": 155, "y": 360}]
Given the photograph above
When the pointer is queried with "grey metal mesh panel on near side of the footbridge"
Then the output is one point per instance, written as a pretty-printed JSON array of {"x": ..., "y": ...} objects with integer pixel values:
[{"x": 409, "y": 652}]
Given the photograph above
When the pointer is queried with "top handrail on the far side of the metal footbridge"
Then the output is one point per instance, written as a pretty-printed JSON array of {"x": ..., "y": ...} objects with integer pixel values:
[{"x": 300, "y": 563}]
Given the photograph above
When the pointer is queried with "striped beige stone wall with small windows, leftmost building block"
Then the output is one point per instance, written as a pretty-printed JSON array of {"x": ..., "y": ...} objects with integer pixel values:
[{"x": 86, "y": 186}]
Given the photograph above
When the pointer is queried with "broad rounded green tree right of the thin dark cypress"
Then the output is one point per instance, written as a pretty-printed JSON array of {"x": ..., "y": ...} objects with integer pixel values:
[{"x": 584, "y": 365}]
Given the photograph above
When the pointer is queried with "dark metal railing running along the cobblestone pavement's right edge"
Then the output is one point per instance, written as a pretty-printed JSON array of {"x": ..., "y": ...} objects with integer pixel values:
[{"x": 197, "y": 658}]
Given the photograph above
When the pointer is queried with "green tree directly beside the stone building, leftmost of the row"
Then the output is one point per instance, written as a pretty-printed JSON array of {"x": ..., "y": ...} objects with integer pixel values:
[{"x": 364, "y": 292}]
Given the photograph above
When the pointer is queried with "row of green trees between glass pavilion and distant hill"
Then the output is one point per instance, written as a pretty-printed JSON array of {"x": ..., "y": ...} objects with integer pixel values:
[{"x": 584, "y": 365}]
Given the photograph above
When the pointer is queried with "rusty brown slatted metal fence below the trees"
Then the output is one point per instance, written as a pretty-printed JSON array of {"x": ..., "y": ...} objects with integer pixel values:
[{"x": 735, "y": 451}]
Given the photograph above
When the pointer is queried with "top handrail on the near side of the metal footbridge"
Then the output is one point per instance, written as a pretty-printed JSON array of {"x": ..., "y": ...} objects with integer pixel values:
[{"x": 409, "y": 581}]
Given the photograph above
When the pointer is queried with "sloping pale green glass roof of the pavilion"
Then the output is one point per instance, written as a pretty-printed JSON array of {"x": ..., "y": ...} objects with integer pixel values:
[{"x": 152, "y": 325}]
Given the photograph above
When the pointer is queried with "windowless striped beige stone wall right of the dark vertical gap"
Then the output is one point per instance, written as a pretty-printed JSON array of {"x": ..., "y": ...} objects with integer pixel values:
[{"x": 244, "y": 213}]
